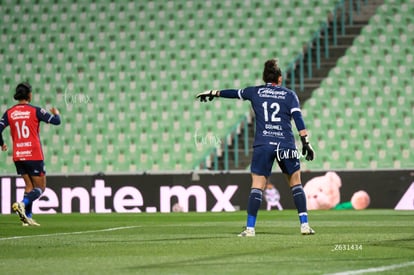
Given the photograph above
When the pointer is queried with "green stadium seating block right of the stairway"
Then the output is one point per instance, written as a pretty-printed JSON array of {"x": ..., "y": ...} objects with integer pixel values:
[{"x": 373, "y": 108}]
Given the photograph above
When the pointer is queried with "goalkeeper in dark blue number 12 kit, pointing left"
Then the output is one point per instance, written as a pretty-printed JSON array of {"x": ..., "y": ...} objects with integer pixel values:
[{"x": 274, "y": 107}]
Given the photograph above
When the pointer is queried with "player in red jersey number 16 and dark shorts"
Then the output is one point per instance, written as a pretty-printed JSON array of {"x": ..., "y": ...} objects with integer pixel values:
[{"x": 24, "y": 119}]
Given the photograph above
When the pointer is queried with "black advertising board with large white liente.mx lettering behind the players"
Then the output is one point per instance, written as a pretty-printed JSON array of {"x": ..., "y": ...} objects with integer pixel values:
[{"x": 193, "y": 192}]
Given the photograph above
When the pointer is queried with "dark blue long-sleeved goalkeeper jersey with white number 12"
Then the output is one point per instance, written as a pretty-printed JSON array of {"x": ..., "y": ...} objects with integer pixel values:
[{"x": 273, "y": 107}]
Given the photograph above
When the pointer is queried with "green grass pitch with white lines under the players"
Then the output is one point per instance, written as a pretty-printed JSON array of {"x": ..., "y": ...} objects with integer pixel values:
[{"x": 351, "y": 242}]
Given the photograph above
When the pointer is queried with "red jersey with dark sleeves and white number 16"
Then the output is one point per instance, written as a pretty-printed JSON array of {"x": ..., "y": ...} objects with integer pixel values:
[{"x": 24, "y": 120}]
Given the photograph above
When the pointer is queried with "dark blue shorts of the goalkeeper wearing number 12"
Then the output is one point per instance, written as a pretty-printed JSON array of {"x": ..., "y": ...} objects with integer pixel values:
[{"x": 265, "y": 155}]
